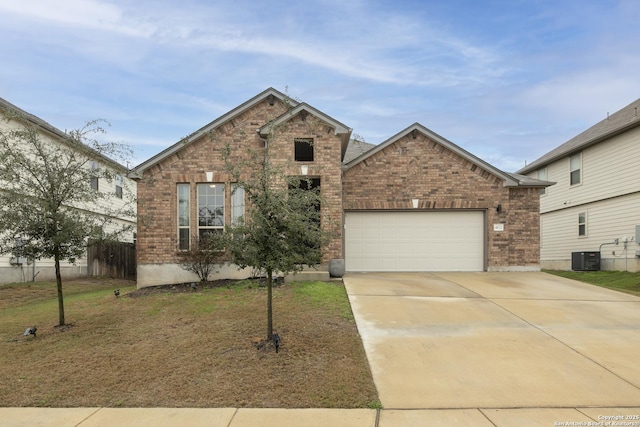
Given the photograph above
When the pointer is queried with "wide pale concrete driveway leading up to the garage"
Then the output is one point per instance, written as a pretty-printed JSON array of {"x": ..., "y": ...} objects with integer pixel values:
[{"x": 510, "y": 348}]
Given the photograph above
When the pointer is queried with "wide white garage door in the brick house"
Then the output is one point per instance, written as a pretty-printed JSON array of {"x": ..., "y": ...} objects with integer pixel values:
[{"x": 414, "y": 241}]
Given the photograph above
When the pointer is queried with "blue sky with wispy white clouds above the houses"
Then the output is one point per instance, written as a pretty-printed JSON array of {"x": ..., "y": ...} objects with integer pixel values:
[{"x": 506, "y": 80}]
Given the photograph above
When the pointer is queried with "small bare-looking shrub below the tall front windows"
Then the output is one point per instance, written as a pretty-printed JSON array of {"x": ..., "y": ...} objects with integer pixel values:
[{"x": 203, "y": 255}]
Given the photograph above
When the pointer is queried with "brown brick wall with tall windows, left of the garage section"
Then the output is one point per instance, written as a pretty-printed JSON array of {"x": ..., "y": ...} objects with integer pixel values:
[{"x": 157, "y": 209}]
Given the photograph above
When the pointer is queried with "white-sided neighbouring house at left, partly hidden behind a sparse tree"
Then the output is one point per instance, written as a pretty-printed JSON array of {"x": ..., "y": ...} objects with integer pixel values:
[{"x": 15, "y": 269}]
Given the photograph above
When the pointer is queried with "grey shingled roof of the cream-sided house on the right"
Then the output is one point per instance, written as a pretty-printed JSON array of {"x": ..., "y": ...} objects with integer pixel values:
[{"x": 617, "y": 123}]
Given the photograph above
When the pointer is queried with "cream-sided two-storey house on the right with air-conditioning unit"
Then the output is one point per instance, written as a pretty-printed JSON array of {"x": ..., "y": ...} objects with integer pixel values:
[{"x": 595, "y": 205}]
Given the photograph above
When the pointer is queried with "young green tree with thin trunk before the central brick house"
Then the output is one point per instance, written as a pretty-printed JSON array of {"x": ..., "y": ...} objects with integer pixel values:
[{"x": 281, "y": 231}]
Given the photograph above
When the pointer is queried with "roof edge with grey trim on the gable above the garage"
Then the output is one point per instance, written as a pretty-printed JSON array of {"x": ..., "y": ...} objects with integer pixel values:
[{"x": 510, "y": 179}]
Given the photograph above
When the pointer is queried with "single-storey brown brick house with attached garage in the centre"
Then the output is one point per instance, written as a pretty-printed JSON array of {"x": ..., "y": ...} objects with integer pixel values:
[{"x": 416, "y": 202}]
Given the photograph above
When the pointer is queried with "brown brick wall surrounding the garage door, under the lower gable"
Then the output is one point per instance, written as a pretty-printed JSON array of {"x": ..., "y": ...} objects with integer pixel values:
[{"x": 422, "y": 169}]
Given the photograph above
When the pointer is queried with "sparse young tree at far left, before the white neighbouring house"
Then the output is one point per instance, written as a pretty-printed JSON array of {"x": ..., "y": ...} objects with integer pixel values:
[{"x": 47, "y": 200}]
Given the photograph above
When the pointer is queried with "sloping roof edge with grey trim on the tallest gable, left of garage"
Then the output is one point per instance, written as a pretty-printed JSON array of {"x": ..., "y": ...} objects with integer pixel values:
[{"x": 271, "y": 92}]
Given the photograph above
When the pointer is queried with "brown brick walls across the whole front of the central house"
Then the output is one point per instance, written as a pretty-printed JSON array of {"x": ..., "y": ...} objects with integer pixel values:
[{"x": 410, "y": 168}]
